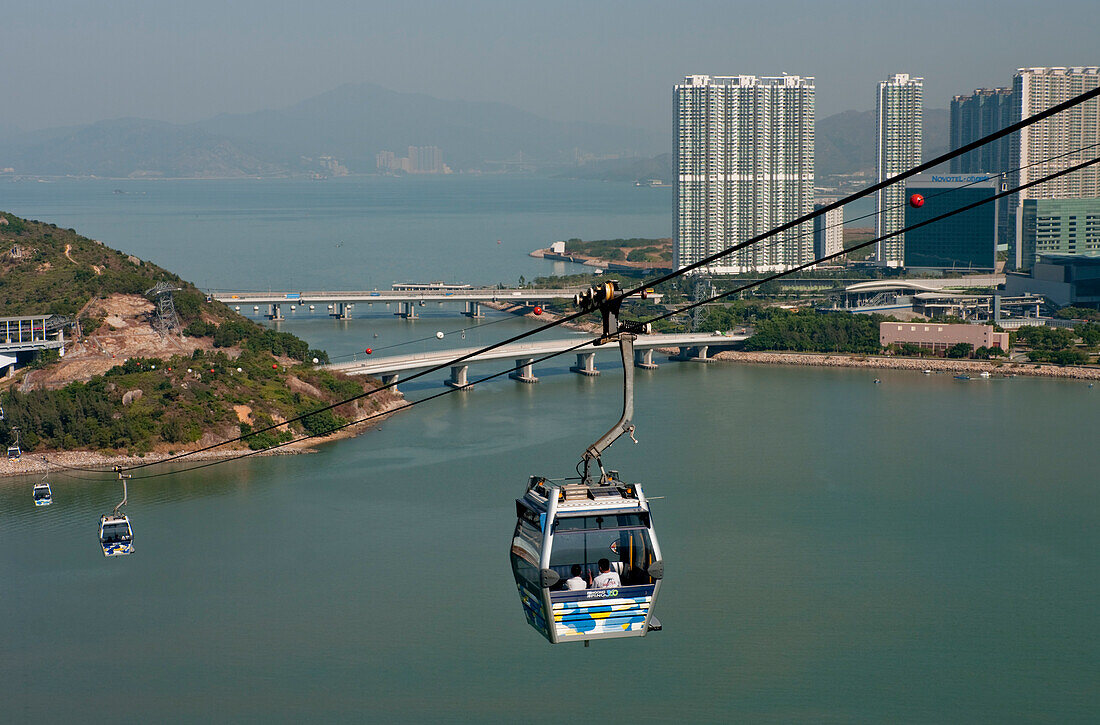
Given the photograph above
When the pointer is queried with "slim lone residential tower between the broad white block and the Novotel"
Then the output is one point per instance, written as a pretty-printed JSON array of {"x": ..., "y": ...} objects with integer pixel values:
[{"x": 900, "y": 116}]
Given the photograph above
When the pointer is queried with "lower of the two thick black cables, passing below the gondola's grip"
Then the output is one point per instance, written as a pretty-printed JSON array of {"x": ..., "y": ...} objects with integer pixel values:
[{"x": 654, "y": 320}]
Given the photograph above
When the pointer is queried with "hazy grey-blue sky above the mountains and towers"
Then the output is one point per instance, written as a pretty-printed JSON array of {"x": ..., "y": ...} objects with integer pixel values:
[{"x": 67, "y": 62}]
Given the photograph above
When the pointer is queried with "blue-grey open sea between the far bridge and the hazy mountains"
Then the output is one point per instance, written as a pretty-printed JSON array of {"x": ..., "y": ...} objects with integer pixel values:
[{"x": 346, "y": 234}]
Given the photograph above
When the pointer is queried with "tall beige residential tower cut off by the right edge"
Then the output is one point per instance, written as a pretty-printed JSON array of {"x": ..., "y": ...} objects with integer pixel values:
[{"x": 1064, "y": 136}]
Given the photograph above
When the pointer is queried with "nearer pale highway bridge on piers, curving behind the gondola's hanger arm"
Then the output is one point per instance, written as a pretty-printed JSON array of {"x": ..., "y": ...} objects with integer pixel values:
[{"x": 692, "y": 346}]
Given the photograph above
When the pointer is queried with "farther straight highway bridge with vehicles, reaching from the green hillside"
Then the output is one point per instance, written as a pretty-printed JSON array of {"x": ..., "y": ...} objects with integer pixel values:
[{"x": 339, "y": 304}]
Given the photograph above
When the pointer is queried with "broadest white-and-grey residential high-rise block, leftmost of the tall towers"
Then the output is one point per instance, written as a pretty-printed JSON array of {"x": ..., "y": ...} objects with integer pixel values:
[{"x": 744, "y": 159}]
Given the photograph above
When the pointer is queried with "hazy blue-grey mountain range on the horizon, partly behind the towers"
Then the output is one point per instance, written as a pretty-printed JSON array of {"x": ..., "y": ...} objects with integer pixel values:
[{"x": 354, "y": 123}]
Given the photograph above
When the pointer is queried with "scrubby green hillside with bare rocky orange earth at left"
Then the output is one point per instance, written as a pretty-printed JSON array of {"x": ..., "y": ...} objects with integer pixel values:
[{"x": 125, "y": 388}]
